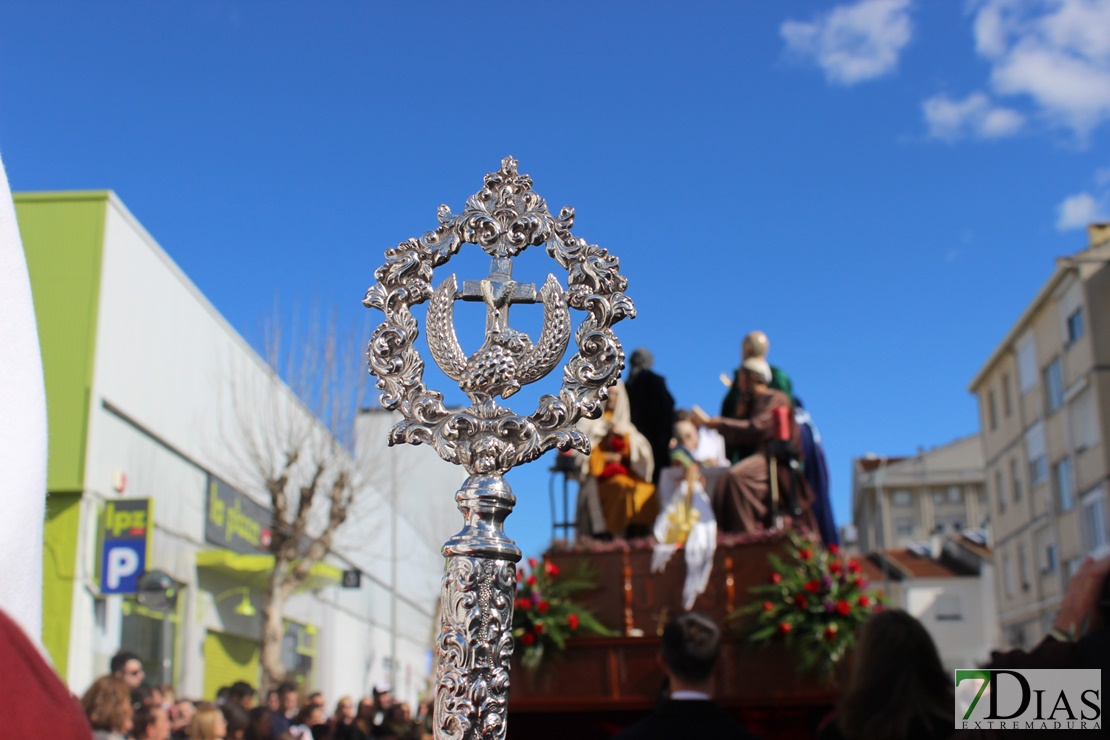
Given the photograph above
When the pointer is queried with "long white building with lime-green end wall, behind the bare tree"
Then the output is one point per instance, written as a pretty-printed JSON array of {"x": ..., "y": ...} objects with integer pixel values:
[{"x": 140, "y": 374}]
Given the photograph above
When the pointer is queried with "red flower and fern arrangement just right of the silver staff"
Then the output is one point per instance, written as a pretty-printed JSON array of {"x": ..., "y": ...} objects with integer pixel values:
[{"x": 544, "y": 614}]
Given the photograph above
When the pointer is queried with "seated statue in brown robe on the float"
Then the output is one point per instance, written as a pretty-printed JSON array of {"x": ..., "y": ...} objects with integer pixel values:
[{"x": 742, "y": 501}]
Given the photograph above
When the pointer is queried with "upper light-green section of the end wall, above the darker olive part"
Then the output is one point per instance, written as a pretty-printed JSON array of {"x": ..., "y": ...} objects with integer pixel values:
[{"x": 64, "y": 239}]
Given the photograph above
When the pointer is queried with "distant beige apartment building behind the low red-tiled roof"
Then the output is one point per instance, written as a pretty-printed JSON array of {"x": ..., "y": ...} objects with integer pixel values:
[{"x": 901, "y": 501}]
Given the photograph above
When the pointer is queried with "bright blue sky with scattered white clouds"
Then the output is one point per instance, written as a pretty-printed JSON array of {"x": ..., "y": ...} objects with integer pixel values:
[{"x": 880, "y": 186}]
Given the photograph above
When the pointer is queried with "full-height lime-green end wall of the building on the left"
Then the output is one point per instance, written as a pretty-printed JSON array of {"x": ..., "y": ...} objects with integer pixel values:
[{"x": 64, "y": 239}]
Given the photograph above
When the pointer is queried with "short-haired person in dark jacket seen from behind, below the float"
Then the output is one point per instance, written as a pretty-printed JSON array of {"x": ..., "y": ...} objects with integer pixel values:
[{"x": 689, "y": 653}]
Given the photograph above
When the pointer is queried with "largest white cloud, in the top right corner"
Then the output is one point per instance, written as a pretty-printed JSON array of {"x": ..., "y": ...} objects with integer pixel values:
[{"x": 1056, "y": 53}]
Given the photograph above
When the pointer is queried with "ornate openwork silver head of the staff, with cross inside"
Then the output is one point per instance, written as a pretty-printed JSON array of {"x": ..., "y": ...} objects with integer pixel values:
[{"x": 504, "y": 219}]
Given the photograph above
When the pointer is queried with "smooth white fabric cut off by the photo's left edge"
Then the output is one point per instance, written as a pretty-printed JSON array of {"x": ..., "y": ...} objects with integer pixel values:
[{"x": 23, "y": 432}]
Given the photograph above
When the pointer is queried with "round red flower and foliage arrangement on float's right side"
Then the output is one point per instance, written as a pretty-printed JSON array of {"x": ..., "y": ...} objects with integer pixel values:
[{"x": 815, "y": 603}]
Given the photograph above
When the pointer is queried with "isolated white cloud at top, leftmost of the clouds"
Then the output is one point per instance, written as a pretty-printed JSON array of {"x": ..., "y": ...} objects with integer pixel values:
[{"x": 853, "y": 43}]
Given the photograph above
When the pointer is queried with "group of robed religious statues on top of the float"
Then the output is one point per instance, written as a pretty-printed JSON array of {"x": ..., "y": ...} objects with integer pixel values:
[{"x": 776, "y": 472}]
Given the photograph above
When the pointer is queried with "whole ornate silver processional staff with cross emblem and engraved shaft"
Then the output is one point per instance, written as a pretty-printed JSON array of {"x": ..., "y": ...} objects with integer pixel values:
[{"x": 504, "y": 218}]
